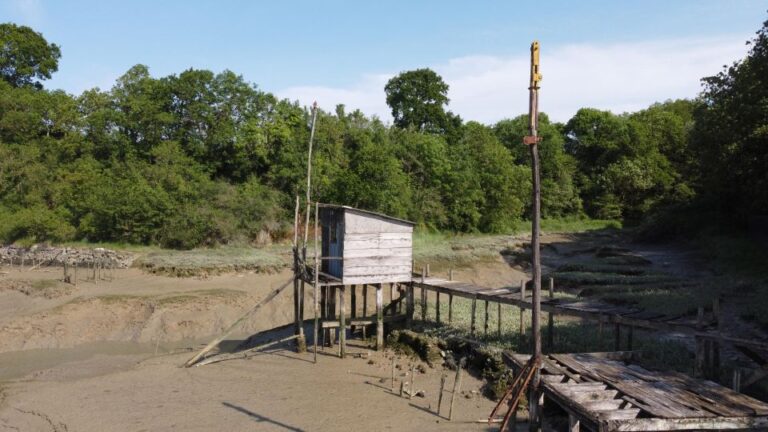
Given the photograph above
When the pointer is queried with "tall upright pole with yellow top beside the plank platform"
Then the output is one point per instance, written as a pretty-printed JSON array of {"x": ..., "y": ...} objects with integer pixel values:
[{"x": 532, "y": 141}]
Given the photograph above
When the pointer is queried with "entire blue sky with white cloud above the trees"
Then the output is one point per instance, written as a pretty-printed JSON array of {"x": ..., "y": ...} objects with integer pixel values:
[{"x": 613, "y": 55}]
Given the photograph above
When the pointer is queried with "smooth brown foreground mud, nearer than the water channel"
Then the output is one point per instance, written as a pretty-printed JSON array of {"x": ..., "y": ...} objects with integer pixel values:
[{"x": 278, "y": 390}]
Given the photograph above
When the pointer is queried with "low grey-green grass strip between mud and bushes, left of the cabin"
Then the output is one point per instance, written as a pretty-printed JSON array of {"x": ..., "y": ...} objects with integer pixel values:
[{"x": 200, "y": 262}]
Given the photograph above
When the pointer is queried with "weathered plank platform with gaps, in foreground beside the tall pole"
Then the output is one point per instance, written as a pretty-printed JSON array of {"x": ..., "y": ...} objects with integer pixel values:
[{"x": 603, "y": 392}]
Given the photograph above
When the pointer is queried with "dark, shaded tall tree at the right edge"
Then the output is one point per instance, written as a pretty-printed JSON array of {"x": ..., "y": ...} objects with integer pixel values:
[{"x": 730, "y": 137}]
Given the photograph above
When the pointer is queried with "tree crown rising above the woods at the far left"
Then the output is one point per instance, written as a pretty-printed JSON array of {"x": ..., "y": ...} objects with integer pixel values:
[{"x": 25, "y": 56}]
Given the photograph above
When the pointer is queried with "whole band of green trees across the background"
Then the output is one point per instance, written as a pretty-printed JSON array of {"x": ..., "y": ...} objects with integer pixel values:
[{"x": 202, "y": 158}]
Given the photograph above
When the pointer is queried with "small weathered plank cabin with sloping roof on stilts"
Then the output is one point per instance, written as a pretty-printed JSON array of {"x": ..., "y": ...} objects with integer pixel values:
[{"x": 364, "y": 247}]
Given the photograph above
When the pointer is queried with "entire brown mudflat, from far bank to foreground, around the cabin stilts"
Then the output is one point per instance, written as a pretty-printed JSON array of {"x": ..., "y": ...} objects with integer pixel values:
[{"x": 104, "y": 357}]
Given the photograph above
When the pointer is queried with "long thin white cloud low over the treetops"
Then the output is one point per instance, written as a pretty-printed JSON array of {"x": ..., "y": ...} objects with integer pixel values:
[{"x": 618, "y": 77}]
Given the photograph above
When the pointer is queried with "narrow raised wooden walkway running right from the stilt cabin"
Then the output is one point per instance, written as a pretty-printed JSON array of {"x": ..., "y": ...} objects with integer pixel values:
[{"x": 594, "y": 311}]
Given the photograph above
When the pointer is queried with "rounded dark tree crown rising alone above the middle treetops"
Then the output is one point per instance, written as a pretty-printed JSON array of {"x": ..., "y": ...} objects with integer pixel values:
[{"x": 418, "y": 99}]
